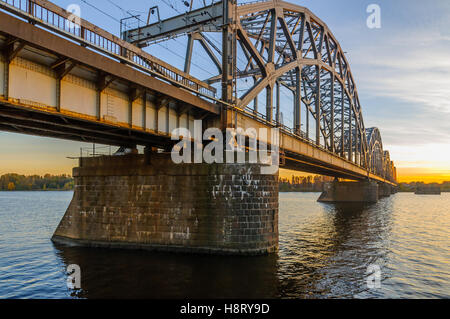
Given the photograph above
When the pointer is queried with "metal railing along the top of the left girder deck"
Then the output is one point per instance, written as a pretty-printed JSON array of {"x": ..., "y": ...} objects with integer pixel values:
[{"x": 50, "y": 16}]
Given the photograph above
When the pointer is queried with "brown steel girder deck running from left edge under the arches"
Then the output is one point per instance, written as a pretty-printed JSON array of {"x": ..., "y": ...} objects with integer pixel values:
[{"x": 51, "y": 86}]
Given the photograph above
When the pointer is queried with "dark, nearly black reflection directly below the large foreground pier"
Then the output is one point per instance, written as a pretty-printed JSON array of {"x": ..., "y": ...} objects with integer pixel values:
[{"x": 143, "y": 274}]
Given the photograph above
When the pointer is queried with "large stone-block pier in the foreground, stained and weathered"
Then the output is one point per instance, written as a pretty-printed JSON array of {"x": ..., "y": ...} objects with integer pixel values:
[{"x": 148, "y": 202}]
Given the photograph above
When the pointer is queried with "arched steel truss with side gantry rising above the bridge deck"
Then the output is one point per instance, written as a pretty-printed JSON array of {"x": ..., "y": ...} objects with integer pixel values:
[{"x": 278, "y": 46}]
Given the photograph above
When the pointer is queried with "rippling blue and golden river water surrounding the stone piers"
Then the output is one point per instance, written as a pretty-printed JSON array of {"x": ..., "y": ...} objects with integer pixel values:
[{"x": 325, "y": 252}]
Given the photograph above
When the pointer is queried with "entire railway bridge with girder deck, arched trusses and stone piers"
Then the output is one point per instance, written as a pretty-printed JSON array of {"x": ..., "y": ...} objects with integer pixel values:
[{"x": 64, "y": 77}]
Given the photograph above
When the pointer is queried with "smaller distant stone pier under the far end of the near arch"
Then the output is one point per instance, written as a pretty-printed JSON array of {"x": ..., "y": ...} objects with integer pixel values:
[{"x": 363, "y": 192}]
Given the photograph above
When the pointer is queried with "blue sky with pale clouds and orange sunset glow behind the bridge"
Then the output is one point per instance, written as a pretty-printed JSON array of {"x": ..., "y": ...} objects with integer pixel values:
[{"x": 402, "y": 73}]
